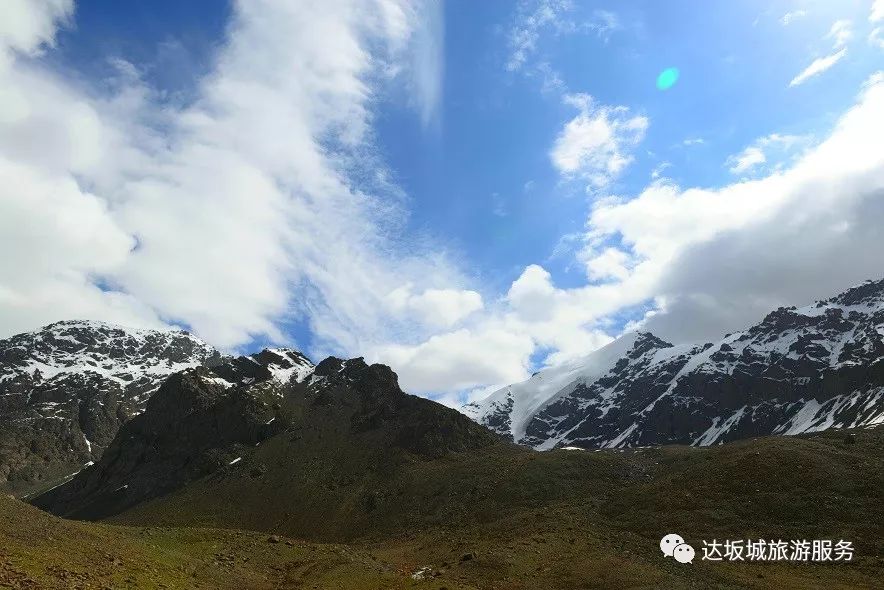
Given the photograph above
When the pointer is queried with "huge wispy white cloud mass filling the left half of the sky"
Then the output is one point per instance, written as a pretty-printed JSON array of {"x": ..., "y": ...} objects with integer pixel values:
[{"x": 260, "y": 199}]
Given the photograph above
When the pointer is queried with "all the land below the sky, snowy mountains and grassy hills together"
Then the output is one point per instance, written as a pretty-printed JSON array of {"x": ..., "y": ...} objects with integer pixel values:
[{"x": 270, "y": 471}]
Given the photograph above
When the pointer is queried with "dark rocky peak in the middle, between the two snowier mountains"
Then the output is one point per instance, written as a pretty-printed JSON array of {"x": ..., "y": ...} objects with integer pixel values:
[{"x": 204, "y": 419}]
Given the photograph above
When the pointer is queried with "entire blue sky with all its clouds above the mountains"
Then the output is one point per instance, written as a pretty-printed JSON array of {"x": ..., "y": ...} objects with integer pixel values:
[{"x": 467, "y": 191}]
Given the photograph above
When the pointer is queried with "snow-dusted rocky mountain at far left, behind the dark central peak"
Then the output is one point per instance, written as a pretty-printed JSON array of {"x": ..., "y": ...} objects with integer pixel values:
[{"x": 66, "y": 389}]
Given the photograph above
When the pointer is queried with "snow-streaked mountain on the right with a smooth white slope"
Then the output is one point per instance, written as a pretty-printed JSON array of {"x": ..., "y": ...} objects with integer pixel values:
[{"x": 798, "y": 370}]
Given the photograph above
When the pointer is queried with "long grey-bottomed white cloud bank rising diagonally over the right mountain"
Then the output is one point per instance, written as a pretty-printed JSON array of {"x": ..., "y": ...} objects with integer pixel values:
[{"x": 705, "y": 260}]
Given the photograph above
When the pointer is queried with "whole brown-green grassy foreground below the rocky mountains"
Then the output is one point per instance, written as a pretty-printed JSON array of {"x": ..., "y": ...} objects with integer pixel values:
[{"x": 505, "y": 519}]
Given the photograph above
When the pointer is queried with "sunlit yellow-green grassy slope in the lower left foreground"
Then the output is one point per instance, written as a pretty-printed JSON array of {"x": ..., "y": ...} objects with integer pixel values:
[{"x": 38, "y": 550}]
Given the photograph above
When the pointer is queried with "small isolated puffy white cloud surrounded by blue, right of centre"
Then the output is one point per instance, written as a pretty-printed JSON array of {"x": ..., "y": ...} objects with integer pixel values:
[{"x": 595, "y": 144}]
